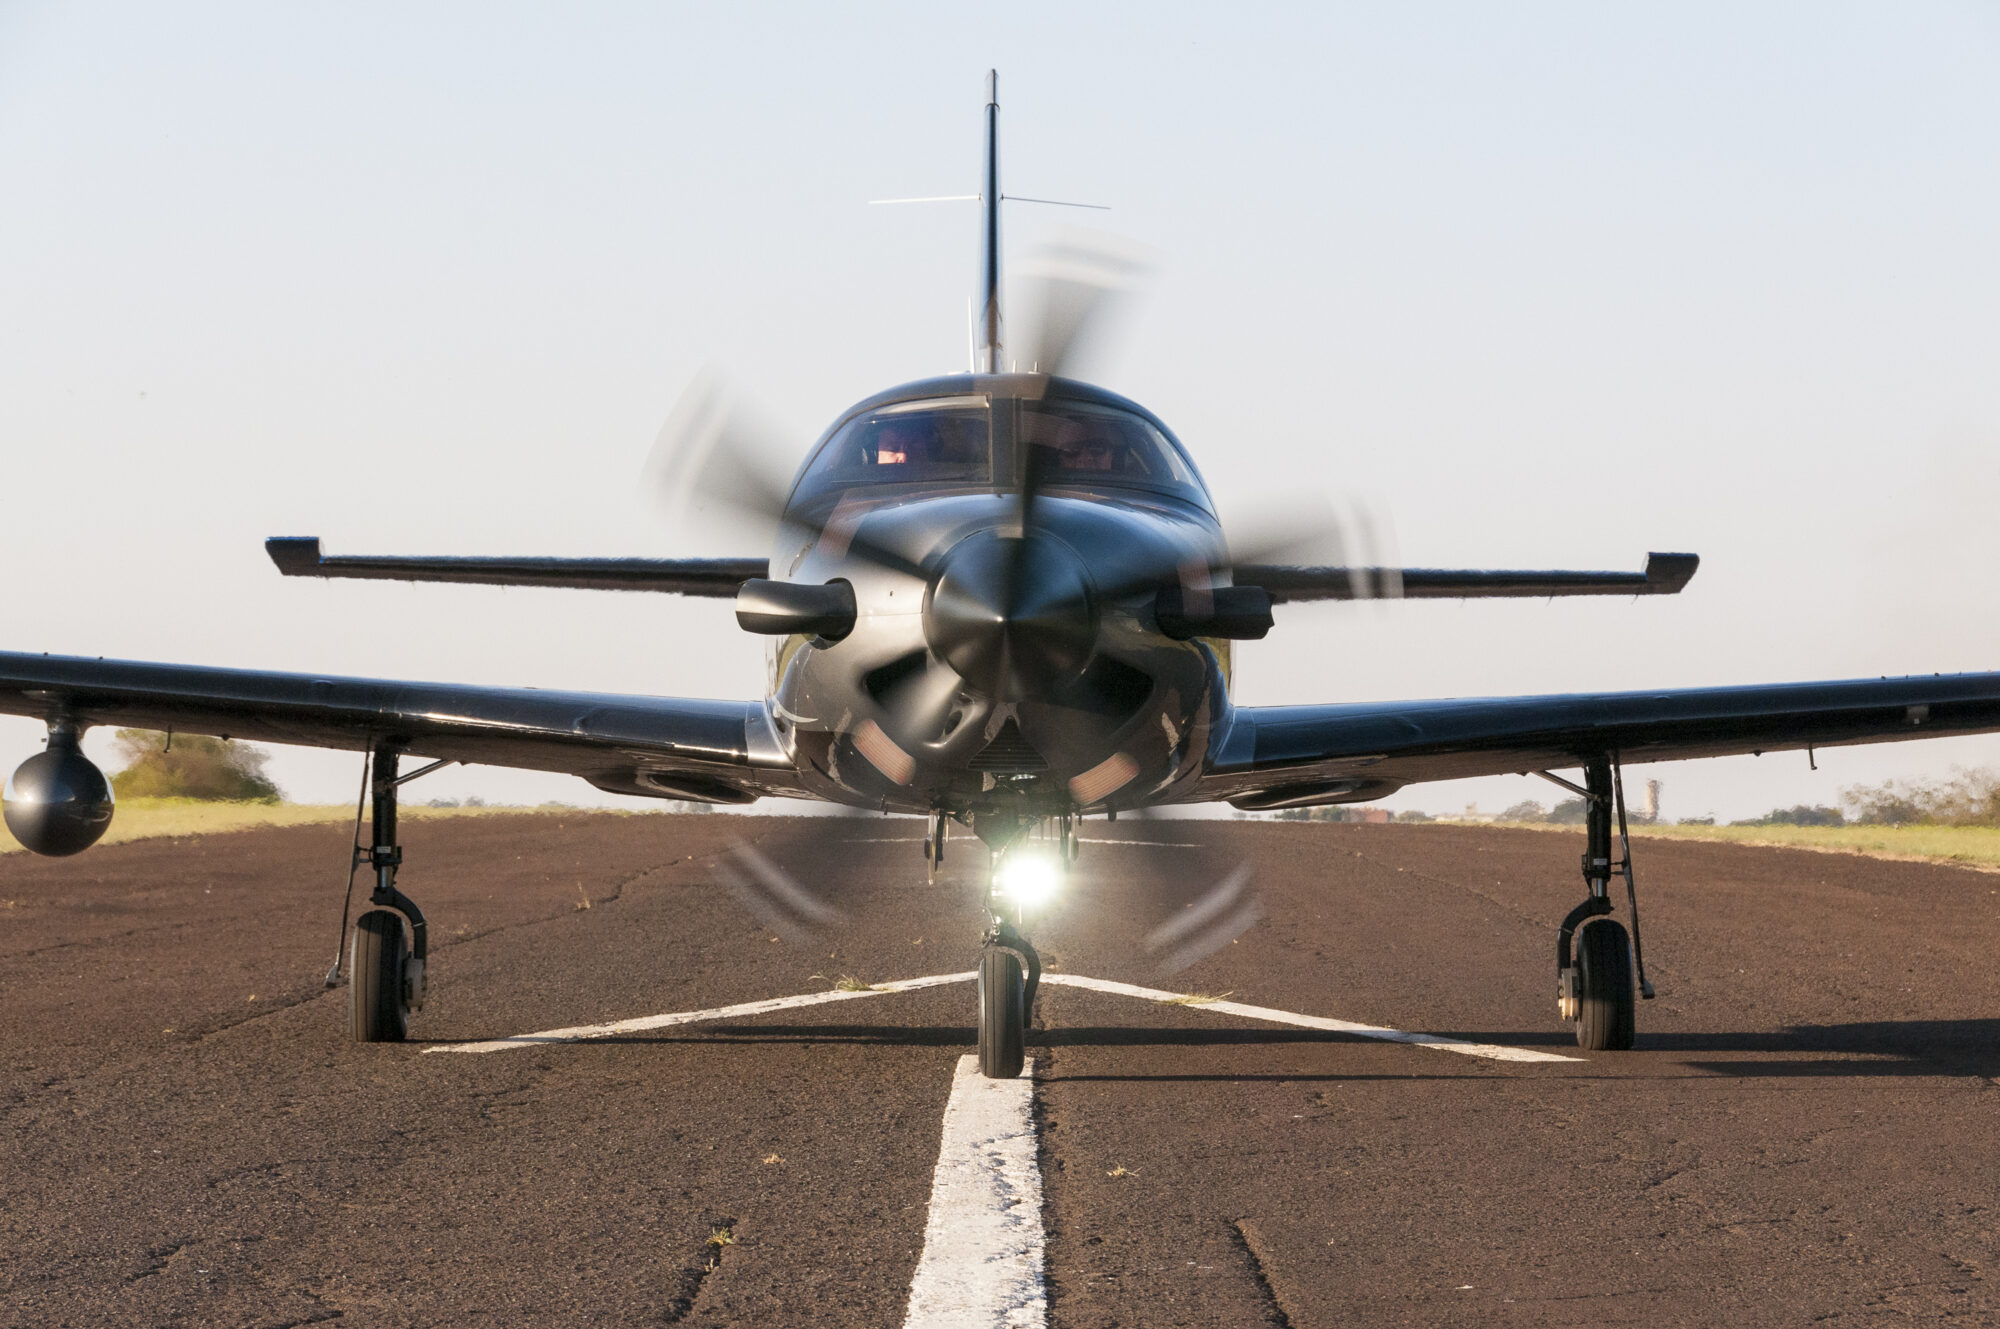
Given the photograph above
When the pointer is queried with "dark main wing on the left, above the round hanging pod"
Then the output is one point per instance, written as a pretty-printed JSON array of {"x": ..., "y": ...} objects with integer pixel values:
[{"x": 639, "y": 746}]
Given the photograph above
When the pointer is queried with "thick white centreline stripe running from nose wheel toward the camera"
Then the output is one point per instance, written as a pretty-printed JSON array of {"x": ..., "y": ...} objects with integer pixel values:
[{"x": 983, "y": 1244}]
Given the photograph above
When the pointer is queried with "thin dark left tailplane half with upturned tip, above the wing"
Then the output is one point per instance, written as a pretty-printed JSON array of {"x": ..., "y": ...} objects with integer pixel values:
[{"x": 713, "y": 577}]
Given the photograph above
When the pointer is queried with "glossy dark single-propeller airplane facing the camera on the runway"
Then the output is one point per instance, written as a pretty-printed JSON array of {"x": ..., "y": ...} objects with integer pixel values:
[{"x": 1003, "y": 601}]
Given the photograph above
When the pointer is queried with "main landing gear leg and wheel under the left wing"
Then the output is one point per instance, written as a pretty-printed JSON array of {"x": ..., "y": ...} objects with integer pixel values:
[{"x": 387, "y": 974}]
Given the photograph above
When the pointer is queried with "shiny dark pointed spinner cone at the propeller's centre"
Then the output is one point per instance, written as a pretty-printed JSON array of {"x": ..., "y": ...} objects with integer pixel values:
[{"x": 1013, "y": 617}]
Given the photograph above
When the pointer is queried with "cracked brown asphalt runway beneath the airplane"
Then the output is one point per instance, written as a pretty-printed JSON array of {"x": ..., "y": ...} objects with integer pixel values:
[{"x": 1809, "y": 1132}]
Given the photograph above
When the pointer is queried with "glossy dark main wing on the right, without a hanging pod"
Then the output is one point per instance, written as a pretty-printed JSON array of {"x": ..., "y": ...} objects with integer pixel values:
[{"x": 1275, "y": 758}]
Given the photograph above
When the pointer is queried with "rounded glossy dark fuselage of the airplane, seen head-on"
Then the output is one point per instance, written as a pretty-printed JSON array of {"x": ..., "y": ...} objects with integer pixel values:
[{"x": 1007, "y": 653}]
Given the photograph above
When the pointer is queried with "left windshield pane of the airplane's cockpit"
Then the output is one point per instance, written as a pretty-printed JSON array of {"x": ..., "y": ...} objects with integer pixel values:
[{"x": 907, "y": 443}]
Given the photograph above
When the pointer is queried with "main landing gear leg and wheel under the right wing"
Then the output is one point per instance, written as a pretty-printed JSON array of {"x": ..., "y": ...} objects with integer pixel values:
[{"x": 1595, "y": 982}]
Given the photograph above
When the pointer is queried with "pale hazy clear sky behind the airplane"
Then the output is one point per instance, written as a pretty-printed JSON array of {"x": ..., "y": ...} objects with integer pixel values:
[{"x": 1551, "y": 283}]
